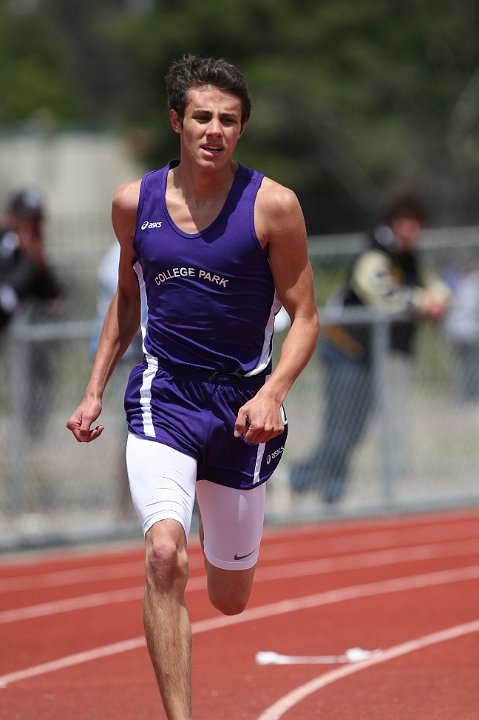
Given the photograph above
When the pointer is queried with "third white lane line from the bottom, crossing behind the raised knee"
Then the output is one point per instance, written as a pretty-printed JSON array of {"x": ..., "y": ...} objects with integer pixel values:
[{"x": 280, "y": 572}]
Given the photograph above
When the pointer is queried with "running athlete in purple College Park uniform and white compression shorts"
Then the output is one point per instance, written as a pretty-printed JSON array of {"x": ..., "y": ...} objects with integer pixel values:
[{"x": 210, "y": 250}]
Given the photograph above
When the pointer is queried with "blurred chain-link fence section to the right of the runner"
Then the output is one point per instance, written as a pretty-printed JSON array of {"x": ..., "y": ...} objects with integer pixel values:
[{"x": 420, "y": 447}]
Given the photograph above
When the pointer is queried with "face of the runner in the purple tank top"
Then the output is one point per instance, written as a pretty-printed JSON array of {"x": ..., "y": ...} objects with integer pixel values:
[{"x": 211, "y": 126}]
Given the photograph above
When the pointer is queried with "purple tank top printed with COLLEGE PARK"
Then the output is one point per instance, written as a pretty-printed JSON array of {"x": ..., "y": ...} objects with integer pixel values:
[{"x": 208, "y": 299}]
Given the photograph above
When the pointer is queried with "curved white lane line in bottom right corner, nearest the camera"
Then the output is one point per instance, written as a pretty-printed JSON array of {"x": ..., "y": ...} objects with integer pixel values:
[{"x": 281, "y": 707}]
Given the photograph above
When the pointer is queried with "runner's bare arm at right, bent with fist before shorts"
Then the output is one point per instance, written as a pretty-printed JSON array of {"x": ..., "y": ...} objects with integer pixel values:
[{"x": 280, "y": 227}]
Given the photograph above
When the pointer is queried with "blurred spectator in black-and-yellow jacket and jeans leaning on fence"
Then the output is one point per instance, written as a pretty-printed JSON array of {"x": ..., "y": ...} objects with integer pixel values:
[{"x": 387, "y": 275}]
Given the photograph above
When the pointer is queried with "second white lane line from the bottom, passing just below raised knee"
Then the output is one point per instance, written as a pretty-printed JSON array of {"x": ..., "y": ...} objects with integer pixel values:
[{"x": 264, "y": 611}]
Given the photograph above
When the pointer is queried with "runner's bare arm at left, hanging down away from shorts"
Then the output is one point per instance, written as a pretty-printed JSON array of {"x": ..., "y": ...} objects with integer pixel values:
[{"x": 121, "y": 321}]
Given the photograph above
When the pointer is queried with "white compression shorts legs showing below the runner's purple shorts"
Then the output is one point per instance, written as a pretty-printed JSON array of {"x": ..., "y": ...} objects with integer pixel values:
[{"x": 163, "y": 486}]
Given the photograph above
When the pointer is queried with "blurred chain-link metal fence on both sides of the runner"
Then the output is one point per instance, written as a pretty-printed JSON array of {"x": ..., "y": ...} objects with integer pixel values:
[{"x": 53, "y": 490}]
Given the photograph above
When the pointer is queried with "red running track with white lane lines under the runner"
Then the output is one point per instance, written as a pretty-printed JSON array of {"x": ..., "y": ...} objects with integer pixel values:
[{"x": 404, "y": 590}]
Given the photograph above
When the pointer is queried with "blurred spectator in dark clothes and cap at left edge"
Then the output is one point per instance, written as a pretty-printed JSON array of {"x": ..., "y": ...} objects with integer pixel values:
[{"x": 29, "y": 285}]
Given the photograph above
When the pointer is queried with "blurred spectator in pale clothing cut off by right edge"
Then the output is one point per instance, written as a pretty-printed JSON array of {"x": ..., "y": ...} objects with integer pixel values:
[{"x": 462, "y": 326}]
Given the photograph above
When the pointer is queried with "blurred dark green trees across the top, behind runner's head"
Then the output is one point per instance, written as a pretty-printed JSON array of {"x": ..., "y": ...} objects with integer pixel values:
[{"x": 351, "y": 98}]
